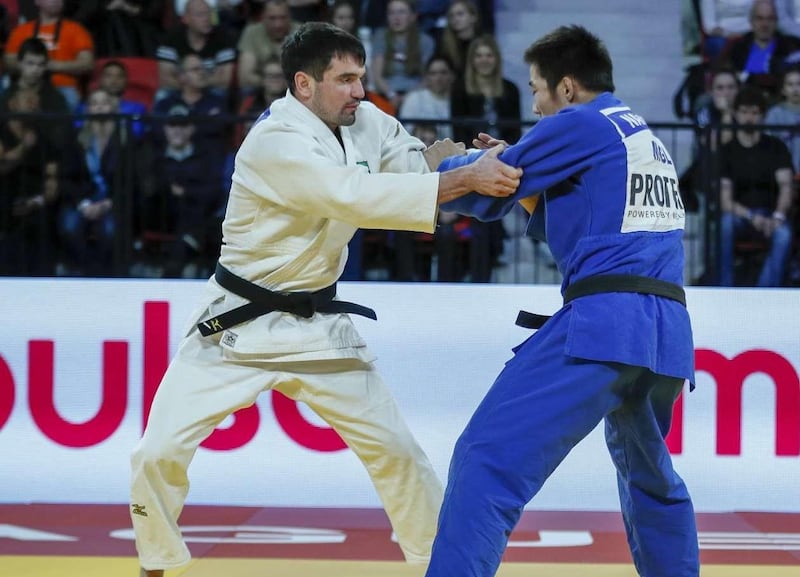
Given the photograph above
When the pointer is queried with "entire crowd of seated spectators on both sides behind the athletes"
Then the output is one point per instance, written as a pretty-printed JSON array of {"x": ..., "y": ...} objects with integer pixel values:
[{"x": 120, "y": 120}]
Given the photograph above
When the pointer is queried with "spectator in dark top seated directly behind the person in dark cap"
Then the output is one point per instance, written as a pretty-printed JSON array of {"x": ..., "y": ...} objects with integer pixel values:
[{"x": 206, "y": 107}]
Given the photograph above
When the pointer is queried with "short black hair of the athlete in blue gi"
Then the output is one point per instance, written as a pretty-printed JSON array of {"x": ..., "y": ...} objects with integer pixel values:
[{"x": 572, "y": 51}]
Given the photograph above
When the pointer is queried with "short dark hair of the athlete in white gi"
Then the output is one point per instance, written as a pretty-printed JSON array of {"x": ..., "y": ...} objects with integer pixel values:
[{"x": 313, "y": 46}]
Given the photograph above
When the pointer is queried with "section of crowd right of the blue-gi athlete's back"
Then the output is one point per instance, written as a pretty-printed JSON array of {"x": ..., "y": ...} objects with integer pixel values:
[{"x": 742, "y": 92}]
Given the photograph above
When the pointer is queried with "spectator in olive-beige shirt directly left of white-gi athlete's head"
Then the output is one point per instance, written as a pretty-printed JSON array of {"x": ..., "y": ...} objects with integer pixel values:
[{"x": 261, "y": 40}]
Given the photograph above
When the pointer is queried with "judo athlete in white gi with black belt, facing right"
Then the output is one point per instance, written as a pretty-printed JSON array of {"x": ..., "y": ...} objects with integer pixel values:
[{"x": 321, "y": 164}]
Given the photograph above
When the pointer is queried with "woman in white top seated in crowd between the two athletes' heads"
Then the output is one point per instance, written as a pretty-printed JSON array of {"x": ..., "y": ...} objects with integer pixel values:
[{"x": 432, "y": 101}]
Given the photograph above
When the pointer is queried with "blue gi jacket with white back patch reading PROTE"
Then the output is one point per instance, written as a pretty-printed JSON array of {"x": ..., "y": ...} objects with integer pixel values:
[{"x": 611, "y": 206}]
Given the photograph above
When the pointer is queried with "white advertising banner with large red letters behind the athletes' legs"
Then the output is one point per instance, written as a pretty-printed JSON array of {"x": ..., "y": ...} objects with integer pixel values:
[{"x": 80, "y": 361}]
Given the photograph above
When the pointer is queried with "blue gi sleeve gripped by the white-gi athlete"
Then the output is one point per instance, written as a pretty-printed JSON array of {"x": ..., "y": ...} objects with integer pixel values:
[{"x": 558, "y": 147}]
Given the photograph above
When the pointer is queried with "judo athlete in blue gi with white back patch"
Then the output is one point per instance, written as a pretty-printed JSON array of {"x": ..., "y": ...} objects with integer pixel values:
[{"x": 606, "y": 198}]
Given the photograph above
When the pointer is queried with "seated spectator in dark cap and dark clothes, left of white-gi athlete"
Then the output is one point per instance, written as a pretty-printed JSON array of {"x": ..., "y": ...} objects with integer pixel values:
[{"x": 185, "y": 186}]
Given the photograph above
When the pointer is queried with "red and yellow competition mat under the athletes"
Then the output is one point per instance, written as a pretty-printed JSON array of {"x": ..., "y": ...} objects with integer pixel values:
[{"x": 89, "y": 540}]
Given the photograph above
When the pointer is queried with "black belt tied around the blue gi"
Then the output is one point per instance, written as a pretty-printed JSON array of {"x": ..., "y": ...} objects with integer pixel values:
[{"x": 608, "y": 283}]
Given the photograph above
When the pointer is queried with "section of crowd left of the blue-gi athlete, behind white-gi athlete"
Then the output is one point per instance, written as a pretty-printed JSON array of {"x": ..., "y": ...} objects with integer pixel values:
[{"x": 121, "y": 119}]
